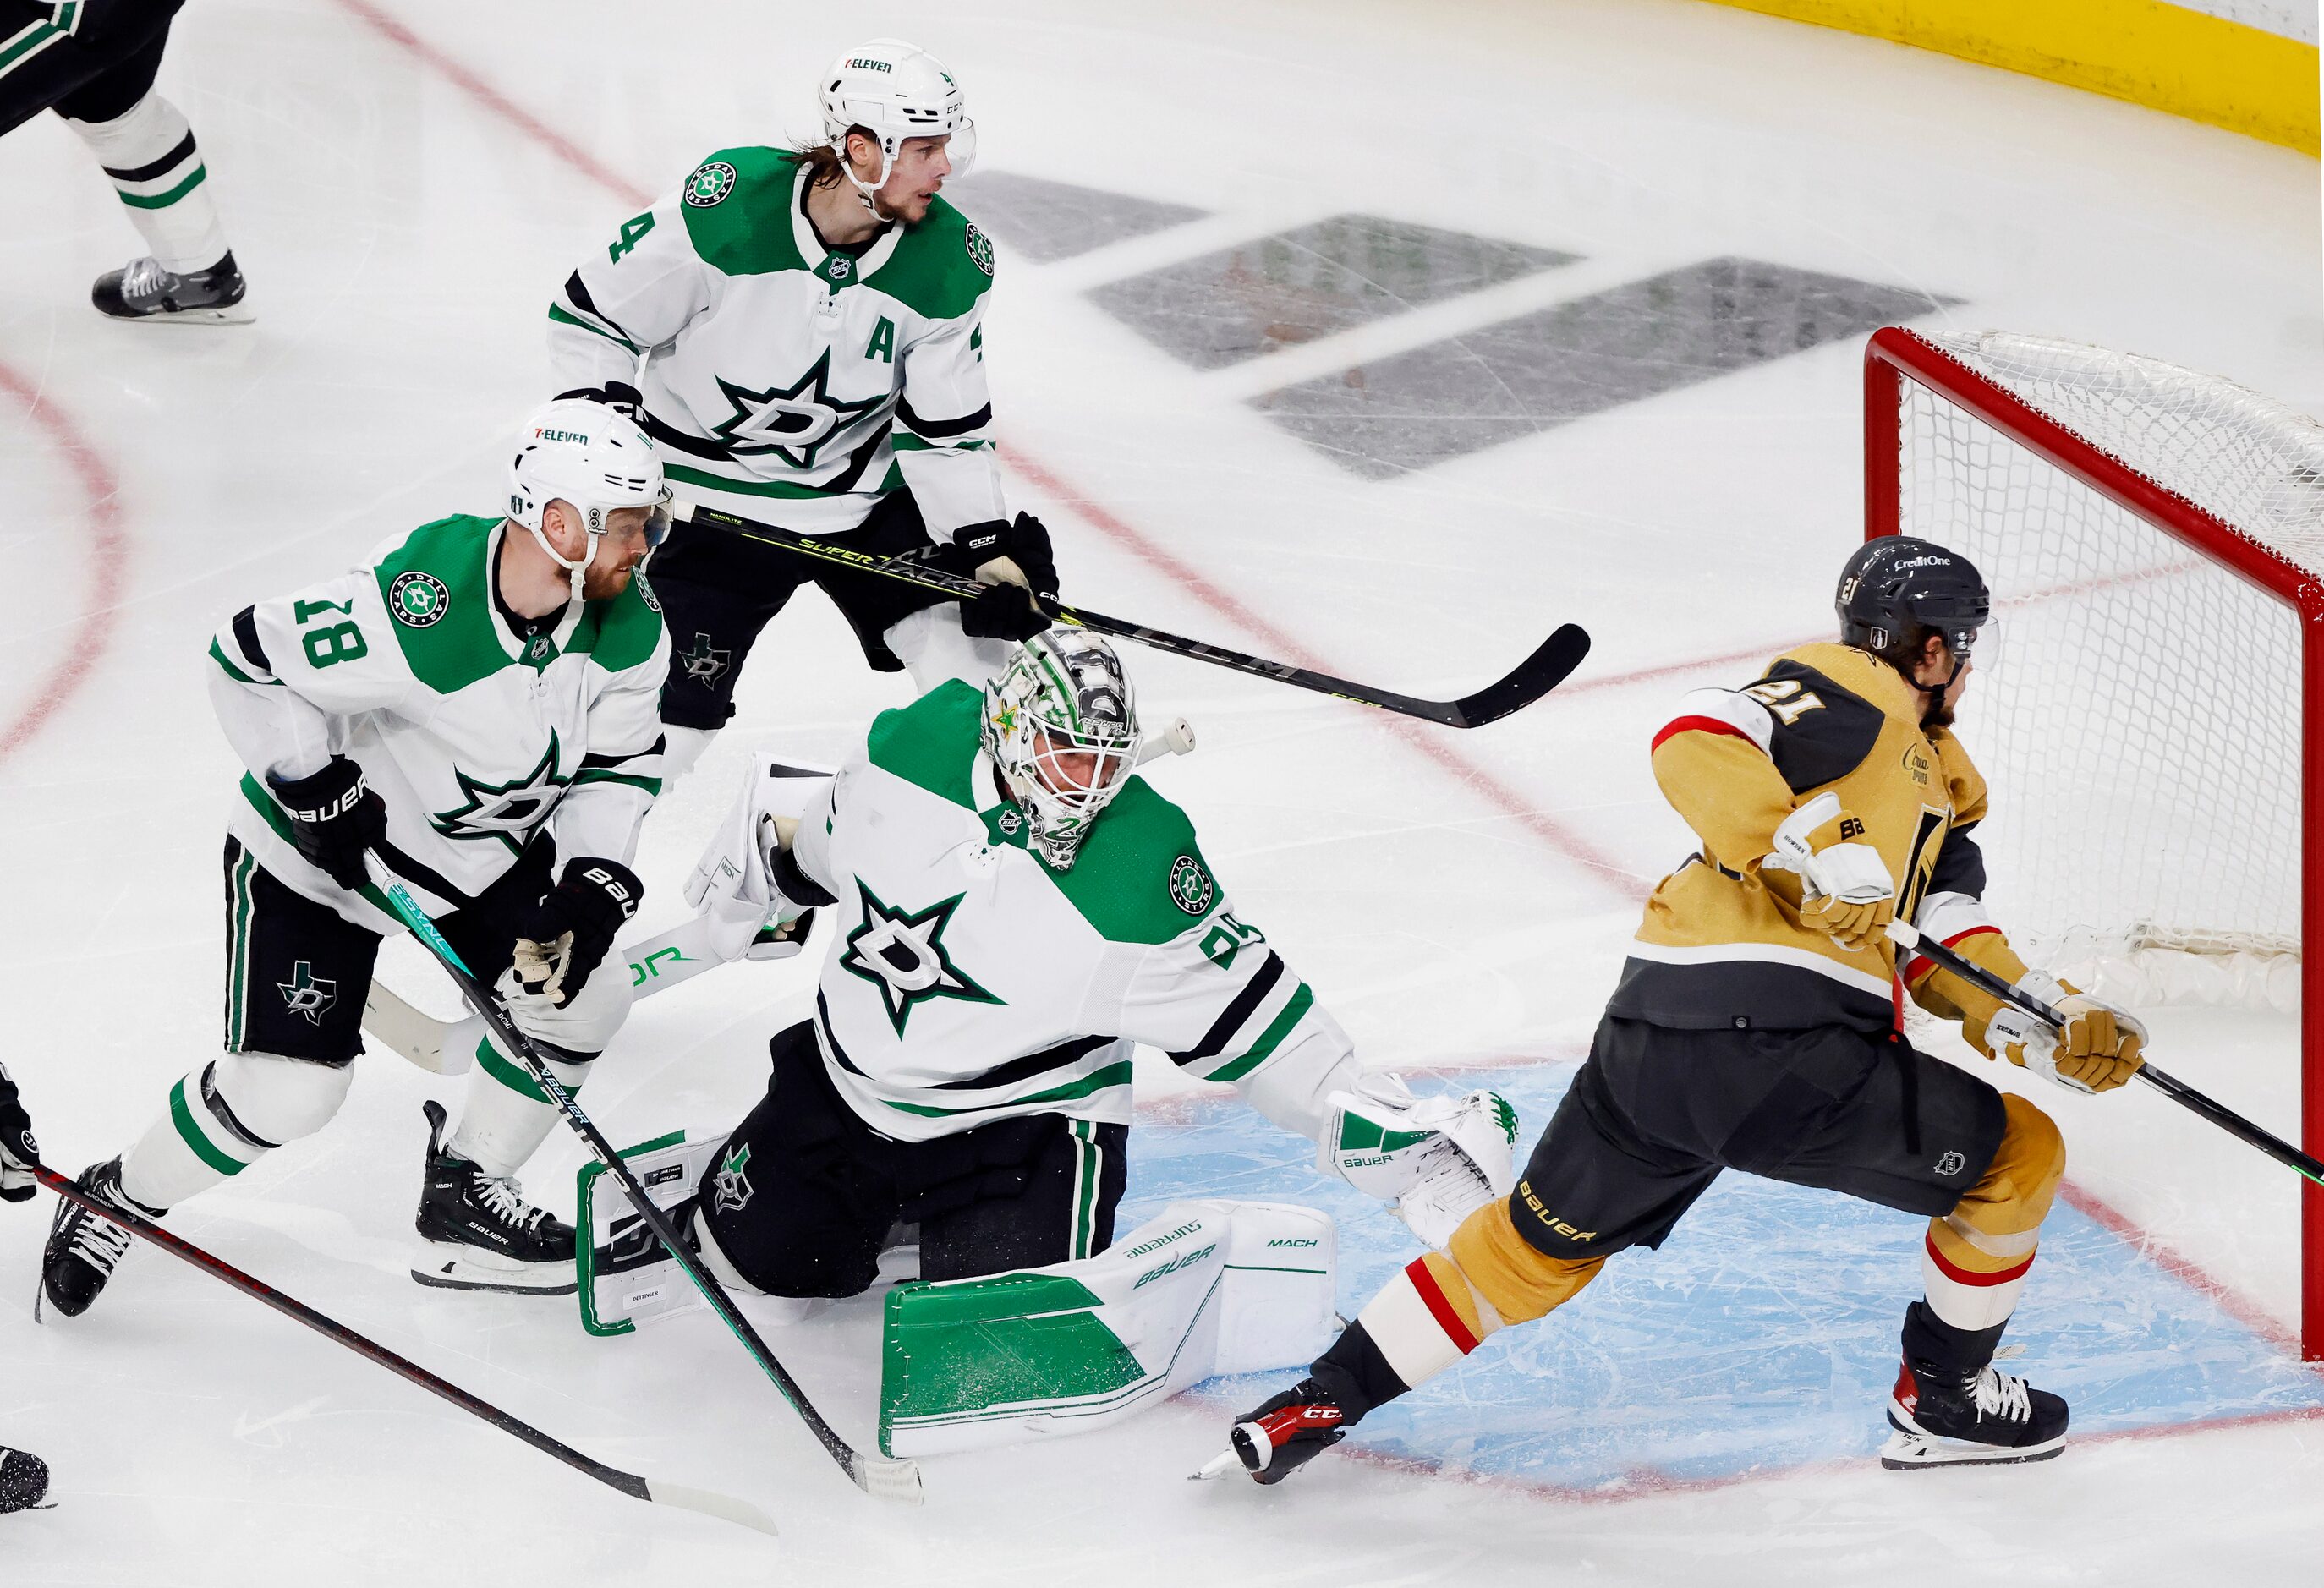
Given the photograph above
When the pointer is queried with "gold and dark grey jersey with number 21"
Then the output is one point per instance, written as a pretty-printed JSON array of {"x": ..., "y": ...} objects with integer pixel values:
[{"x": 1723, "y": 945}]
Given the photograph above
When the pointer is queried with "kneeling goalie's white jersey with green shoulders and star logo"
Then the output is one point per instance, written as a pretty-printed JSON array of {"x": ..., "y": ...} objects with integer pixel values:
[{"x": 973, "y": 982}]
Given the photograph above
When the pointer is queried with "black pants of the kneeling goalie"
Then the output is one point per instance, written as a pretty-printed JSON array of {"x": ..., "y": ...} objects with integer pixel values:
[{"x": 808, "y": 1192}]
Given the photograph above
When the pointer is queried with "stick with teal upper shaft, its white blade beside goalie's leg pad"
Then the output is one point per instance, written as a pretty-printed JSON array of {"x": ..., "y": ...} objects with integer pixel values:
[{"x": 877, "y": 1475}]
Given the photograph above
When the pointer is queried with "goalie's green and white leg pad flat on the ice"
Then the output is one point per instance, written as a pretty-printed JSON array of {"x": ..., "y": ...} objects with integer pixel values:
[{"x": 1205, "y": 1289}]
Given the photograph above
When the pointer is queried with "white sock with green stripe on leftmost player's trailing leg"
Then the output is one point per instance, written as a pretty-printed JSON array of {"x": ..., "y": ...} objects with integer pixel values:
[{"x": 227, "y": 1117}]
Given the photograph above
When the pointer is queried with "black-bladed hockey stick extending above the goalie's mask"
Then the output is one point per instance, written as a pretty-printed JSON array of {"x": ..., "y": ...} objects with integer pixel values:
[{"x": 1535, "y": 678}]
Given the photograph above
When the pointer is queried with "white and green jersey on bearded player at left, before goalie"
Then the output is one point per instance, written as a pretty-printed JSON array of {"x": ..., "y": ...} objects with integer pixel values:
[{"x": 473, "y": 736}]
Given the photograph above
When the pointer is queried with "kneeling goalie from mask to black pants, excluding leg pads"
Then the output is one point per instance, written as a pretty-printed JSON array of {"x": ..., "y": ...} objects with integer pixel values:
[{"x": 1014, "y": 910}]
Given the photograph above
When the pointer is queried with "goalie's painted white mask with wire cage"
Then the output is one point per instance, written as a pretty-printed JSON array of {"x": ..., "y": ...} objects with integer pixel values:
[{"x": 1063, "y": 729}]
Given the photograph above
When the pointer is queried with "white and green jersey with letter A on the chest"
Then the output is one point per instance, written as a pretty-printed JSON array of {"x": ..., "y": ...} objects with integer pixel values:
[{"x": 791, "y": 385}]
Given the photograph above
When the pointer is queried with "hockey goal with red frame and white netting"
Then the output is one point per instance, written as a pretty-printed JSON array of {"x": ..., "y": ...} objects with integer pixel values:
[{"x": 2151, "y": 699}]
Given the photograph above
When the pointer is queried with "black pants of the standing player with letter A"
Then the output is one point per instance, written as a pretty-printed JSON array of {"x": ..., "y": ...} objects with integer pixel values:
[{"x": 719, "y": 592}]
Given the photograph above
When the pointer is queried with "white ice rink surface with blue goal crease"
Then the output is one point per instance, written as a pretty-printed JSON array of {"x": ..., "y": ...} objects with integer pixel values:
[{"x": 1337, "y": 334}]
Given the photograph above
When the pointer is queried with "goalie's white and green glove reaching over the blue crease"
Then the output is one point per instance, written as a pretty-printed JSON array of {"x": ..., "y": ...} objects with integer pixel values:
[{"x": 1433, "y": 1159}]
